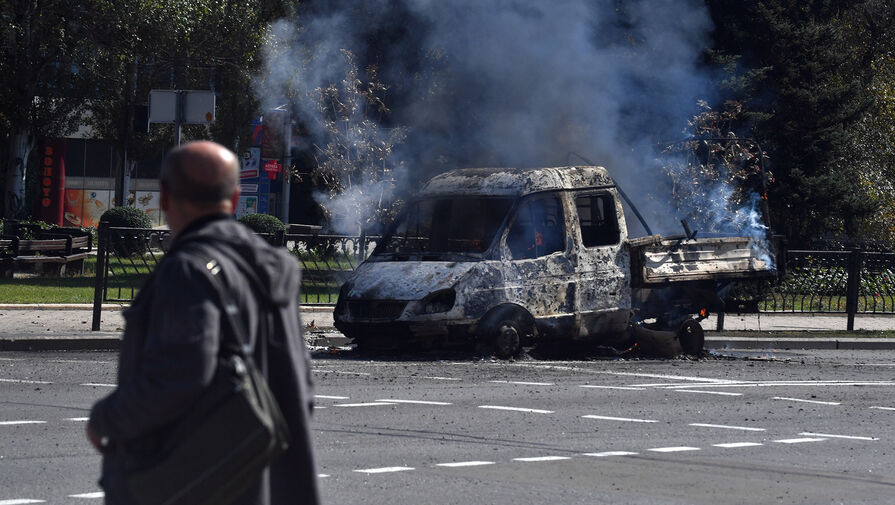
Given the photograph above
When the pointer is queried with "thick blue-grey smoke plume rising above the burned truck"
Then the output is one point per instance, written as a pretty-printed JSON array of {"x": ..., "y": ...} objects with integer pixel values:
[{"x": 510, "y": 83}]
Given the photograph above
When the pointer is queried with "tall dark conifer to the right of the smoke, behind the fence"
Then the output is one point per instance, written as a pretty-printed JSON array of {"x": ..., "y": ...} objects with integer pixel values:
[{"x": 803, "y": 70}]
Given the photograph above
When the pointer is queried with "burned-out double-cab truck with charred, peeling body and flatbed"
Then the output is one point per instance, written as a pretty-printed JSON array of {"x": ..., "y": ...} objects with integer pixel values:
[{"x": 505, "y": 258}]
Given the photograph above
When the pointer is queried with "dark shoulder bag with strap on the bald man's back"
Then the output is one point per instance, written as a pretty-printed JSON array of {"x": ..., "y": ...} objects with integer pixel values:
[{"x": 227, "y": 439}]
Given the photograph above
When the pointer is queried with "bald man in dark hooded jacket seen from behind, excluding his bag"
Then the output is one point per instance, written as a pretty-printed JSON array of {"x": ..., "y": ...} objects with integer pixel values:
[{"x": 173, "y": 331}]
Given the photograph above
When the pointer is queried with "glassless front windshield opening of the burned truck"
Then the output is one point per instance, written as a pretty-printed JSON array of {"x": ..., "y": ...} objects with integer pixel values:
[{"x": 445, "y": 228}]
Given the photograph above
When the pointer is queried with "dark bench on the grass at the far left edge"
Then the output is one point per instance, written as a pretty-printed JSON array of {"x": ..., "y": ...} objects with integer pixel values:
[{"x": 58, "y": 251}]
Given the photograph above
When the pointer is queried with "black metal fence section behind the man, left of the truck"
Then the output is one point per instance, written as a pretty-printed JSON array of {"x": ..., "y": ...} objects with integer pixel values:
[{"x": 127, "y": 256}]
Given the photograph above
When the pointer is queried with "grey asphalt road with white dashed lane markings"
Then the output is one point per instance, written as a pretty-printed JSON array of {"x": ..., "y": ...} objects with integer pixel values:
[{"x": 809, "y": 427}]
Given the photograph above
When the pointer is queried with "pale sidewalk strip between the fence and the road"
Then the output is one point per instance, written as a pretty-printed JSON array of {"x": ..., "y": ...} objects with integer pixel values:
[{"x": 67, "y": 327}]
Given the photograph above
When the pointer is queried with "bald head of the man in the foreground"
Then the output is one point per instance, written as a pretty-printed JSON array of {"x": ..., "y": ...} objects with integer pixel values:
[{"x": 198, "y": 179}]
